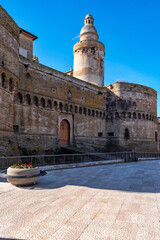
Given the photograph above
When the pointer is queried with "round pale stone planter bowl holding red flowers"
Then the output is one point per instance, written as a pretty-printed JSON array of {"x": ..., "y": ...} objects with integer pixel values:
[{"x": 23, "y": 176}]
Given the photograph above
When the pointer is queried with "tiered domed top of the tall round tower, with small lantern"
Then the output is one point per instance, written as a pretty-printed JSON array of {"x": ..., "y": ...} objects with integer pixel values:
[{"x": 88, "y": 32}]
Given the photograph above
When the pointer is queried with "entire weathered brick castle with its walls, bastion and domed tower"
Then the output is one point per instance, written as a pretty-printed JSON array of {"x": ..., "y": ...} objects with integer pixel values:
[{"x": 42, "y": 109}]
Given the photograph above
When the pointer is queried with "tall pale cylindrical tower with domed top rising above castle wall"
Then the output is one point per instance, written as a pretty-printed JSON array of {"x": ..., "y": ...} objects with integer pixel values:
[{"x": 89, "y": 55}]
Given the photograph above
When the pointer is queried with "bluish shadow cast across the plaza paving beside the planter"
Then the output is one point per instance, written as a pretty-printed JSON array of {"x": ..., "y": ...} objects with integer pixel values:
[{"x": 131, "y": 177}]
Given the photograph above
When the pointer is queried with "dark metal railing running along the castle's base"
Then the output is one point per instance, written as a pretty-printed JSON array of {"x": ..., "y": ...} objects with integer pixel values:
[{"x": 41, "y": 160}]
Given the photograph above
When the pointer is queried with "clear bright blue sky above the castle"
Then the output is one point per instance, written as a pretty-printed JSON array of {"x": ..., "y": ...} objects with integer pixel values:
[{"x": 129, "y": 29}]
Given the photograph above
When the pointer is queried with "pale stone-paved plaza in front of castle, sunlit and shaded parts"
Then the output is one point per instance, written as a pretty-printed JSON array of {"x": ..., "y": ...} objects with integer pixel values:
[{"x": 119, "y": 201}]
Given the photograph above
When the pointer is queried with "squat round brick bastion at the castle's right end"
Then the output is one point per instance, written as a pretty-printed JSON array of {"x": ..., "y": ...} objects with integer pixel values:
[{"x": 132, "y": 116}]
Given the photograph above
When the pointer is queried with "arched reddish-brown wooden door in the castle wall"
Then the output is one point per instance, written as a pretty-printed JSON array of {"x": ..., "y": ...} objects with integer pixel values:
[{"x": 64, "y": 132}]
